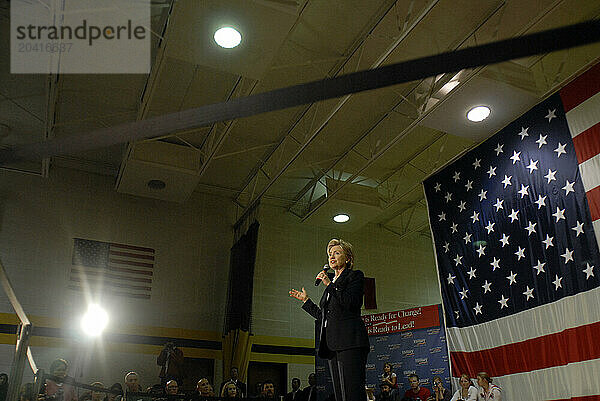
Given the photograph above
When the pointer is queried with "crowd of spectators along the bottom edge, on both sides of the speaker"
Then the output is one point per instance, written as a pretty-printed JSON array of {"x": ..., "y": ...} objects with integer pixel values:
[{"x": 170, "y": 389}]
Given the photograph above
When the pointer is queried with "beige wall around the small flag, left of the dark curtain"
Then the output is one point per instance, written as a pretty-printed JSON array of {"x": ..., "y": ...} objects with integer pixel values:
[{"x": 39, "y": 217}]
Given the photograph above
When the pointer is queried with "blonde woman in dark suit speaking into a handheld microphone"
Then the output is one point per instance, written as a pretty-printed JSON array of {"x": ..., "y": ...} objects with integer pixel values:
[{"x": 343, "y": 339}]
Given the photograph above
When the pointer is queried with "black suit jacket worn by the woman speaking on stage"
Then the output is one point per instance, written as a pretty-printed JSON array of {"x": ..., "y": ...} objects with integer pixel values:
[{"x": 340, "y": 308}]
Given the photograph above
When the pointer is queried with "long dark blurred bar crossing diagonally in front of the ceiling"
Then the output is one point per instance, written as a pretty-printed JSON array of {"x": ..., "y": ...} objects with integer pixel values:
[{"x": 491, "y": 53}]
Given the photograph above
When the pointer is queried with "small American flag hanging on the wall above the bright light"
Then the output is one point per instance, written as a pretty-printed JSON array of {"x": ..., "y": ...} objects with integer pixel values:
[{"x": 116, "y": 269}]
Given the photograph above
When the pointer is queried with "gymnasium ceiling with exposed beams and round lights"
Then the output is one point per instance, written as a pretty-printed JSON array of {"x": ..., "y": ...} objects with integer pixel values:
[{"x": 364, "y": 154}]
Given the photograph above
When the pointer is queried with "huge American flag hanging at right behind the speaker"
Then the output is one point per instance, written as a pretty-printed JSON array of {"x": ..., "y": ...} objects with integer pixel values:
[{"x": 515, "y": 225}]
